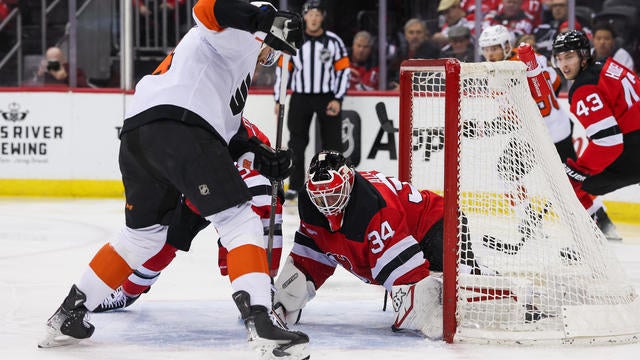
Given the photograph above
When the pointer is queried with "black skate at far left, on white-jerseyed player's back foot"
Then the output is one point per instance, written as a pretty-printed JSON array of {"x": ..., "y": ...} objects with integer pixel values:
[{"x": 68, "y": 325}]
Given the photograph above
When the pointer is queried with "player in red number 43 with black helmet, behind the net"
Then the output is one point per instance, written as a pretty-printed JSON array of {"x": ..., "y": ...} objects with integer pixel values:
[{"x": 605, "y": 98}]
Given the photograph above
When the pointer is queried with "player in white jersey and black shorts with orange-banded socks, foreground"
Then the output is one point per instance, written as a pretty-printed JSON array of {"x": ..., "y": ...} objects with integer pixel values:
[{"x": 177, "y": 138}]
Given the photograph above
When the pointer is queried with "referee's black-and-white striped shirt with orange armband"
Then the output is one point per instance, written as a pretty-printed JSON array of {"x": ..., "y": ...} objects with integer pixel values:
[{"x": 320, "y": 67}]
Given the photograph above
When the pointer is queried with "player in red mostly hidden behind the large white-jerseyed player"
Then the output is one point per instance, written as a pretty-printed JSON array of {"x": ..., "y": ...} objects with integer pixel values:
[{"x": 187, "y": 223}]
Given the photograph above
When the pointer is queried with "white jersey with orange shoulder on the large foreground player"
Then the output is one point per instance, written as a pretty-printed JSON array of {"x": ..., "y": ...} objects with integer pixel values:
[{"x": 205, "y": 80}]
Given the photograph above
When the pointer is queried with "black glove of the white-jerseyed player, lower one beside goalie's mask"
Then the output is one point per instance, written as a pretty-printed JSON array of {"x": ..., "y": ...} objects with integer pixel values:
[{"x": 275, "y": 165}]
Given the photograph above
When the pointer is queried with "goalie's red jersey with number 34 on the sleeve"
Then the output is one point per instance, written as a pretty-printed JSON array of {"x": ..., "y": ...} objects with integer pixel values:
[{"x": 378, "y": 242}]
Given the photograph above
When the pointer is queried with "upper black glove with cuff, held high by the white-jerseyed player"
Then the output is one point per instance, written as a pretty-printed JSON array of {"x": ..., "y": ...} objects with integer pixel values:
[{"x": 283, "y": 28}]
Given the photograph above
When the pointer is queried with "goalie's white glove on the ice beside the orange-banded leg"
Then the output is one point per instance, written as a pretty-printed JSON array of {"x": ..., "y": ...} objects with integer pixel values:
[{"x": 293, "y": 292}]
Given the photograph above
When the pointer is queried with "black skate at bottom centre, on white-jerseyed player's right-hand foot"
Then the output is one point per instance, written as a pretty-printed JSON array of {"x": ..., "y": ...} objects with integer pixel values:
[{"x": 269, "y": 340}]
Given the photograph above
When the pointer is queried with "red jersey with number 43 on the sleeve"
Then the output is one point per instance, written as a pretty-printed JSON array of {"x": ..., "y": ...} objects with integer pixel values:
[{"x": 606, "y": 101}]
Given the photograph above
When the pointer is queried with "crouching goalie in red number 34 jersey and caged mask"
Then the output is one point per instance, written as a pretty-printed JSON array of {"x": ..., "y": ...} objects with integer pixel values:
[{"x": 385, "y": 232}]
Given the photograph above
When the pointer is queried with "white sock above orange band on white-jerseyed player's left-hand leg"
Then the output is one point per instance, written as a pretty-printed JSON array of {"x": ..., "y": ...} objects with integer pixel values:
[{"x": 136, "y": 246}]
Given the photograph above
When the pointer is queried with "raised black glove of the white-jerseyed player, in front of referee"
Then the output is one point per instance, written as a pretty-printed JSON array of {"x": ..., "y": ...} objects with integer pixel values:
[{"x": 285, "y": 33}]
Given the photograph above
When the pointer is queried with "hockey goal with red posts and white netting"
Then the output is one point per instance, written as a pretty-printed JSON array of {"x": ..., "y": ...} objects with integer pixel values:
[{"x": 548, "y": 274}]
